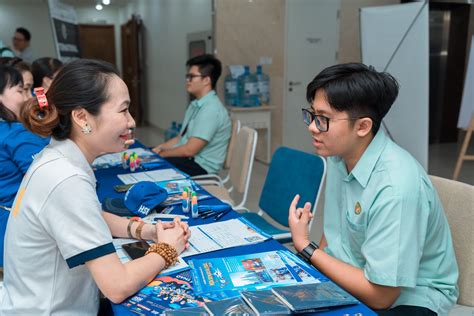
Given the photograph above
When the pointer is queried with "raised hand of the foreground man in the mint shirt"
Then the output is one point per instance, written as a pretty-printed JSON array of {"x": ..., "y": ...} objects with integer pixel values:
[{"x": 298, "y": 219}]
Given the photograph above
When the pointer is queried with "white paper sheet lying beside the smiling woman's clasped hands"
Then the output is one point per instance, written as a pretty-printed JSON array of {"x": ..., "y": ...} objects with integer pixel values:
[{"x": 221, "y": 235}]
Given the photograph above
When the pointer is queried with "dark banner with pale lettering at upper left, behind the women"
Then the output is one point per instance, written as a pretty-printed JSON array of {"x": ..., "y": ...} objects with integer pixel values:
[{"x": 65, "y": 30}]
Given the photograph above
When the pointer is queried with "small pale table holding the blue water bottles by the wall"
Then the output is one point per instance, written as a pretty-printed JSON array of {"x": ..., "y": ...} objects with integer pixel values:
[{"x": 260, "y": 118}]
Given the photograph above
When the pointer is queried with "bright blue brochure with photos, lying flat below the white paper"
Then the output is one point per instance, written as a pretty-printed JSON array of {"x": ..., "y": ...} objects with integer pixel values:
[{"x": 248, "y": 272}]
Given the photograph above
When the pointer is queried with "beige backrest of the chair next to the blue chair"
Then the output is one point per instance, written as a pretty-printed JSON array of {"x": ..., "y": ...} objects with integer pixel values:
[{"x": 243, "y": 155}]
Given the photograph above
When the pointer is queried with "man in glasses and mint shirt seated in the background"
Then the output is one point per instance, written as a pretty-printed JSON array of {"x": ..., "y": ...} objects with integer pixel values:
[{"x": 201, "y": 146}]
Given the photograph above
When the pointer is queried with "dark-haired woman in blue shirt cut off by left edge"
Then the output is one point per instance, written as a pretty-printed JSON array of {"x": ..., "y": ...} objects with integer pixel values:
[{"x": 18, "y": 146}]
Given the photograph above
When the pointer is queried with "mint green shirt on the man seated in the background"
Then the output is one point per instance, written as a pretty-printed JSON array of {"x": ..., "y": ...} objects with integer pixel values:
[{"x": 209, "y": 120}]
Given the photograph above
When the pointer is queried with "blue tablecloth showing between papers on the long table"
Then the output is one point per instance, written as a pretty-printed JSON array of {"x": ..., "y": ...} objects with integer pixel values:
[{"x": 107, "y": 178}]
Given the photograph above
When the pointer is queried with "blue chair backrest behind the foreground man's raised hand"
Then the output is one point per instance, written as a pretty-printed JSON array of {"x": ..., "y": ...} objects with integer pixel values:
[{"x": 291, "y": 172}]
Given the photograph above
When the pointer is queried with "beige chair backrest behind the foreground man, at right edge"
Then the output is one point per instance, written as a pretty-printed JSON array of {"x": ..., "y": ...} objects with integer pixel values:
[{"x": 458, "y": 203}]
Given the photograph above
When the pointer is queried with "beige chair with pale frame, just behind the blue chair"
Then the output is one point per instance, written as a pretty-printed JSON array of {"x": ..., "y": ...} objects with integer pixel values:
[{"x": 240, "y": 169}]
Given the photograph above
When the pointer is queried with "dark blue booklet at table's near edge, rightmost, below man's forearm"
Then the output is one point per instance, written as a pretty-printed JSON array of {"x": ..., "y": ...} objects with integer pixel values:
[{"x": 313, "y": 297}]
